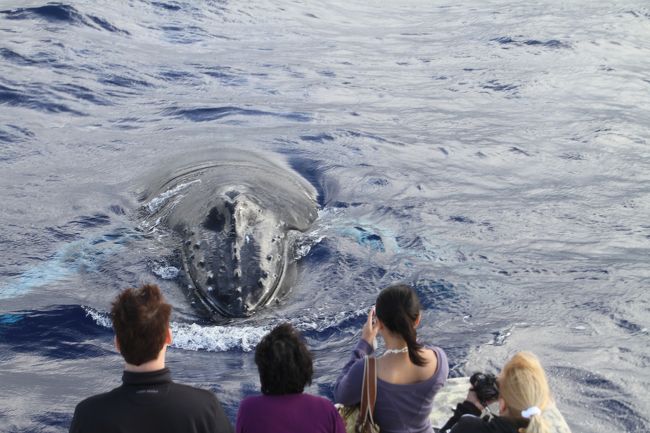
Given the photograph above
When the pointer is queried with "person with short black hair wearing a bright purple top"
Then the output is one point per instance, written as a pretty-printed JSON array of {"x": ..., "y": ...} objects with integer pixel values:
[{"x": 285, "y": 367}]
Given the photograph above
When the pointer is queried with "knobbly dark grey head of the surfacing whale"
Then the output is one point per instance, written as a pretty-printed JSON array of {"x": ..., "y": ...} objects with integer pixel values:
[{"x": 236, "y": 258}]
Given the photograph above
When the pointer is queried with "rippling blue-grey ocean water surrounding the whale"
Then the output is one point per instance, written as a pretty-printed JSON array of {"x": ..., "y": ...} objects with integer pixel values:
[{"x": 494, "y": 154}]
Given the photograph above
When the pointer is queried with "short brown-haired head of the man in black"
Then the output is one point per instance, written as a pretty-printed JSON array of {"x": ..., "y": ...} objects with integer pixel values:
[{"x": 141, "y": 323}]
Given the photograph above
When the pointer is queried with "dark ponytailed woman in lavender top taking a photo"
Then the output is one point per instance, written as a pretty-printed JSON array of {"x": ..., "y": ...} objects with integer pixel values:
[{"x": 408, "y": 374}]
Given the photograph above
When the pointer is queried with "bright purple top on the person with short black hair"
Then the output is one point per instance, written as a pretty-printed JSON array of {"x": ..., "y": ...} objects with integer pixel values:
[{"x": 288, "y": 413}]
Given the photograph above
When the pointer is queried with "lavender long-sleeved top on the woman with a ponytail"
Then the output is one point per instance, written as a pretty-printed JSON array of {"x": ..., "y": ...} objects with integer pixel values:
[{"x": 399, "y": 408}]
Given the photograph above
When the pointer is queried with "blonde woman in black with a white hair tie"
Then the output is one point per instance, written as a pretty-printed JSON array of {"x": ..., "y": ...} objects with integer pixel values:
[{"x": 523, "y": 396}]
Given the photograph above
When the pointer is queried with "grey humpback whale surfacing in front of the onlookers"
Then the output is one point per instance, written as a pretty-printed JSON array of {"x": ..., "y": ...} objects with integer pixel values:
[{"x": 235, "y": 217}]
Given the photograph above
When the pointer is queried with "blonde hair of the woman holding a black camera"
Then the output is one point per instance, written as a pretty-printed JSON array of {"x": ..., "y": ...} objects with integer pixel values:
[{"x": 522, "y": 384}]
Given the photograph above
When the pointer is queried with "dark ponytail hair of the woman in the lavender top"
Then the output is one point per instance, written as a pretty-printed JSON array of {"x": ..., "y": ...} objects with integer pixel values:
[{"x": 398, "y": 310}]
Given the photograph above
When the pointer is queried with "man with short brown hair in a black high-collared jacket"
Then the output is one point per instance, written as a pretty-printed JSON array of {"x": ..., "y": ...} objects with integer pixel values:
[{"x": 148, "y": 400}]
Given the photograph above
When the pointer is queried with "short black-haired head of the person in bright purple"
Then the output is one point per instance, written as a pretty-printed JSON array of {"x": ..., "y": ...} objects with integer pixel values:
[{"x": 283, "y": 361}]
